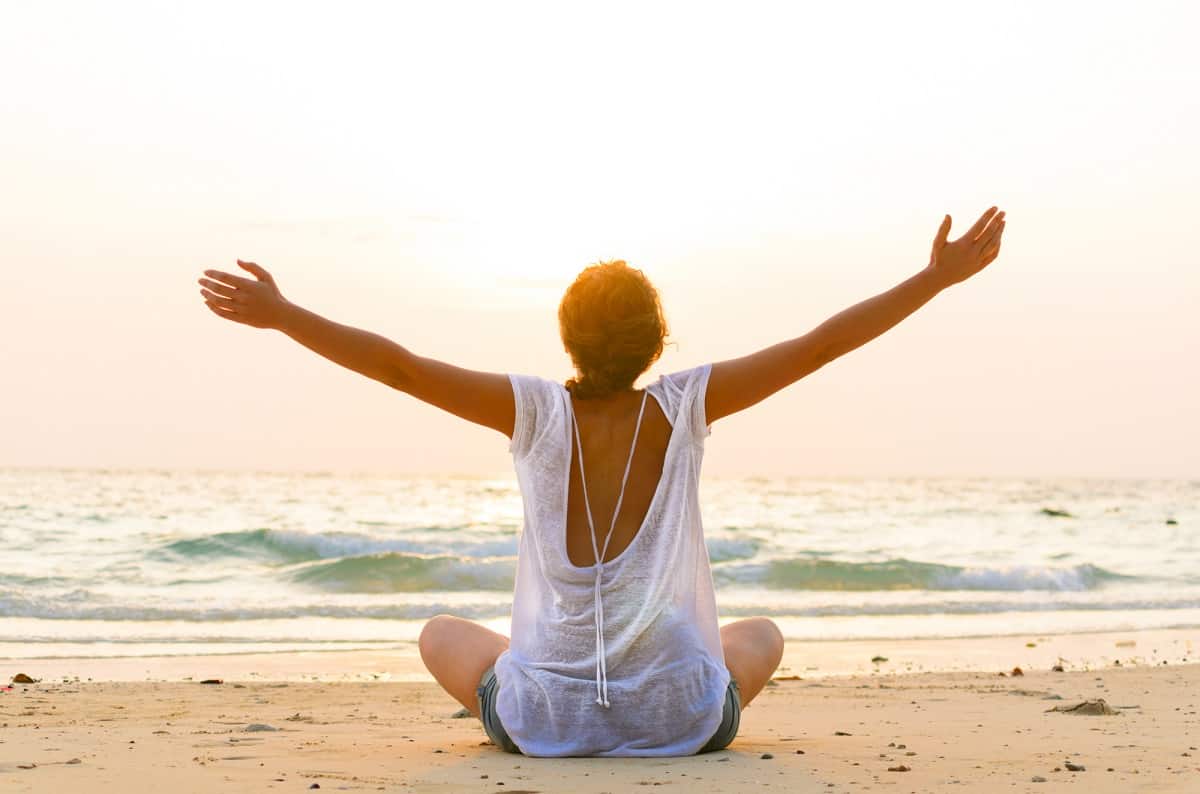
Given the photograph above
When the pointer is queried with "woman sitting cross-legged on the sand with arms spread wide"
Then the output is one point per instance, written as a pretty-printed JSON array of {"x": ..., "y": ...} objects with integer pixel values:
[{"x": 616, "y": 648}]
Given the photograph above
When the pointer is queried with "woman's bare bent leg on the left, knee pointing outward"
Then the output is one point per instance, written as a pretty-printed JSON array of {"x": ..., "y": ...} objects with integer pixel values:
[{"x": 457, "y": 653}]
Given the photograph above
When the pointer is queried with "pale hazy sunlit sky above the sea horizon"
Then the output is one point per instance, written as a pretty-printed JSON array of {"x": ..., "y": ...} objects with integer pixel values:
[{"x": 440, "y": 173}]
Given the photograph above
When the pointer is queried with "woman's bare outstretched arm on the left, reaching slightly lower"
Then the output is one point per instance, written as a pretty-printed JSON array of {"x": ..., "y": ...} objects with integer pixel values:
[{"x": 481, "y": 398}]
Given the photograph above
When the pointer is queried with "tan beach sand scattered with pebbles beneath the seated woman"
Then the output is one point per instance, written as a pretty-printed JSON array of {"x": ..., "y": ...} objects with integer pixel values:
[{"x": 137, "y": 726}]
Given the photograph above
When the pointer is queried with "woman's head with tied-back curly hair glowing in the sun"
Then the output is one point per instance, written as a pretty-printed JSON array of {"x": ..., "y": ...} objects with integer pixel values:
[{"x": 613, "y": 327}]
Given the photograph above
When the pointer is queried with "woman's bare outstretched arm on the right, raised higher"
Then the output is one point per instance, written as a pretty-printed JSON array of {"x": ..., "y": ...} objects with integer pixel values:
[{"x": 740, "y": 383}]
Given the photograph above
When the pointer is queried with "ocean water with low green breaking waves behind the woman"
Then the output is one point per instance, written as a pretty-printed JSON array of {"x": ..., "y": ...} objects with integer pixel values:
[{"x": 100, "y": 563}]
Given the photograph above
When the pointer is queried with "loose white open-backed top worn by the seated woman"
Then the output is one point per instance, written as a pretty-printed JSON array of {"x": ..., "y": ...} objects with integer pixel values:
[{"x": 639, "y": 631}]
